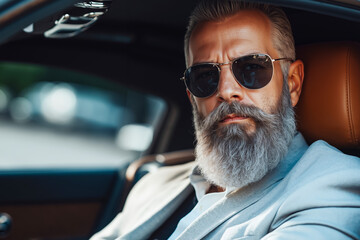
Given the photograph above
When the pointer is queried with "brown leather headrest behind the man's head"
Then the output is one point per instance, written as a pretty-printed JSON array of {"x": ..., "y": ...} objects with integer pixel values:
[{"x": 329, "y": 105}]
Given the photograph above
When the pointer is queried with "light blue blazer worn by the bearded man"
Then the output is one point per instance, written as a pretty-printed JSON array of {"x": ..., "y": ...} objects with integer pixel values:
[{"x": 314, "y": 193}]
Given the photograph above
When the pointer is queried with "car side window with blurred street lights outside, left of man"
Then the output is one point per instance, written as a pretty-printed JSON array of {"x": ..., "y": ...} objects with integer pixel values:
[{"x": 53, "y": 117}]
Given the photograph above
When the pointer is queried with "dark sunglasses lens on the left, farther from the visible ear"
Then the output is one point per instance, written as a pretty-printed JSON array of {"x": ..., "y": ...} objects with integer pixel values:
[{"x": 202, "y": 80}]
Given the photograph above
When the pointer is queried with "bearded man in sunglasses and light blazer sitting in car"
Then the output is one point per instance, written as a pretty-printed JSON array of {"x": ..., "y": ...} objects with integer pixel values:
[{"x": 254, "y": 175}]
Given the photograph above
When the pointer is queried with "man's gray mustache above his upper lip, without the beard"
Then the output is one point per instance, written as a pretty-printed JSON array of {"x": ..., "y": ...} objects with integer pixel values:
[{"x": 241, "y": 110}]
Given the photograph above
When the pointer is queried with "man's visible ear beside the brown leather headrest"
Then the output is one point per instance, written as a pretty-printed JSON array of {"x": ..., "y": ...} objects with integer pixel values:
[{"x": 295, "y": 80}]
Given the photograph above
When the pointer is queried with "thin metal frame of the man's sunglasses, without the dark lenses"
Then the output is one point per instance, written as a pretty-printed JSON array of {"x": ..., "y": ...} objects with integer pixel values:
[{"x": 218, "y": 66}]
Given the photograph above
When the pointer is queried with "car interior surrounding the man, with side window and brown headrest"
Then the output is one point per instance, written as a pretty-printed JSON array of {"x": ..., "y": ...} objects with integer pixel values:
[{"x": 127, "y": 58}]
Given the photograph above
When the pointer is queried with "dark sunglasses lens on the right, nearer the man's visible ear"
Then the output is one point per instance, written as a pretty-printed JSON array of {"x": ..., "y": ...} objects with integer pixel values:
[{"x": 253, "y": 71}]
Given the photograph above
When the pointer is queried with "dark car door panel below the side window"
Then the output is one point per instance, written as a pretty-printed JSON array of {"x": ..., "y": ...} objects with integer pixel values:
[{"x": 58, "y": 204}]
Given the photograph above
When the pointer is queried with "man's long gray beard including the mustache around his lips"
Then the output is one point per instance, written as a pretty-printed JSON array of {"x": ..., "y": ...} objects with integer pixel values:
[{"x": 230, "y": 155}]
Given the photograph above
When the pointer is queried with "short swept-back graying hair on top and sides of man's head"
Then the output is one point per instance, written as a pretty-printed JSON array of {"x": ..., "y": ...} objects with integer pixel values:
[{"x": 218, "y": 10}]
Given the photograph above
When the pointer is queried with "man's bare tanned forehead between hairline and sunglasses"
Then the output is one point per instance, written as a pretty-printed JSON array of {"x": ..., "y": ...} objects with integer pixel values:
[{"x": 246, "y": 32}]
